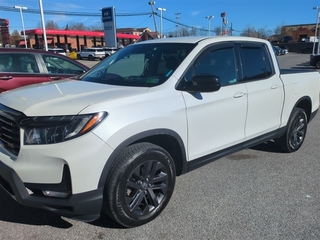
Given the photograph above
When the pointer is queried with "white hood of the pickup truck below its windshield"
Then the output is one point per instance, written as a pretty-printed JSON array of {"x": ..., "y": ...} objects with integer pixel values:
[{"x": 64, "y": 97}]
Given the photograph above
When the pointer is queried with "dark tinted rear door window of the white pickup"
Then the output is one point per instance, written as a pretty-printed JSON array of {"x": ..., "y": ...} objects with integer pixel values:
[{"x": 255, "y": 62}]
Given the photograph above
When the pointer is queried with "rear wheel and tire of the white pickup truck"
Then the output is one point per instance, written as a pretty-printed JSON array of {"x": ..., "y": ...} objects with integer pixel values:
[{"x": 296, "y": 131}]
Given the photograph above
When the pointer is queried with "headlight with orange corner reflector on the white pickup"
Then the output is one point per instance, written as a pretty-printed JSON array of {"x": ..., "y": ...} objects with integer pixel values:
[{"x": 56, "y": 129}]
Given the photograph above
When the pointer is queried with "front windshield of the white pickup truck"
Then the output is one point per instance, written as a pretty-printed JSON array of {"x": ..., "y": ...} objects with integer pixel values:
[{"x": 143, "y": 65}]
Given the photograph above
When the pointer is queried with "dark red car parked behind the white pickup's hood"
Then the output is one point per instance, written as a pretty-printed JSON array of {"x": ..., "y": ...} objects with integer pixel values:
[{"x": 20, "y": 67}]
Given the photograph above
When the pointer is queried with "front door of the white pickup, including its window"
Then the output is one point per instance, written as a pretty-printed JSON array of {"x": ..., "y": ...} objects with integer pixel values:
[{"x": 216, "y": 120}]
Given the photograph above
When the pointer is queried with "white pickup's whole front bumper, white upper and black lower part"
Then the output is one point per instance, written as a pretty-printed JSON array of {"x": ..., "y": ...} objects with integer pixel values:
[{"x": 73, "y": 167}]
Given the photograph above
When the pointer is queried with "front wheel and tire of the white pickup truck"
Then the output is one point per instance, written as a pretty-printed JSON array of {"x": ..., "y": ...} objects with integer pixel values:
[{"x": 140, "y": 185}]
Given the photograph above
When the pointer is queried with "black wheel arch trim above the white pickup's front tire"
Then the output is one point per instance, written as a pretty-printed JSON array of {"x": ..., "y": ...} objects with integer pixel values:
[{"x": 165, "y": 138}]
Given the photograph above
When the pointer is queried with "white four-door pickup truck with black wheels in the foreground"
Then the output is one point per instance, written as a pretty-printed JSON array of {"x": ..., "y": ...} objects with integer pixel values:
[{"x": 113, "y": 140}]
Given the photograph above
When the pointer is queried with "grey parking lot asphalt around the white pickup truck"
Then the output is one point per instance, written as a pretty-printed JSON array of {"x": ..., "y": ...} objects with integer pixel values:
[{"x": 258, "y": 193}]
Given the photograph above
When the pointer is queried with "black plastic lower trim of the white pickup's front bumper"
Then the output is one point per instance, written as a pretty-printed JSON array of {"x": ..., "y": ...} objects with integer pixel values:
[{"x": 83, "y": 206}]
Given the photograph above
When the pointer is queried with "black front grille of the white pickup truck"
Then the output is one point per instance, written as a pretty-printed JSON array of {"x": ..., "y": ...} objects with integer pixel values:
[{"x": 9, "y": 130}]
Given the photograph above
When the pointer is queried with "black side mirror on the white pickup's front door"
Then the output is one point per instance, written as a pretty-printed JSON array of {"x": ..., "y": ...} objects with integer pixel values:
[{"x": 201, "y": 83}]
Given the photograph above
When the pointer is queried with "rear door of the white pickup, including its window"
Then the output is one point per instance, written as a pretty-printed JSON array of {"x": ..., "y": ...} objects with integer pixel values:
[{"x": 265, "y": 90}]
